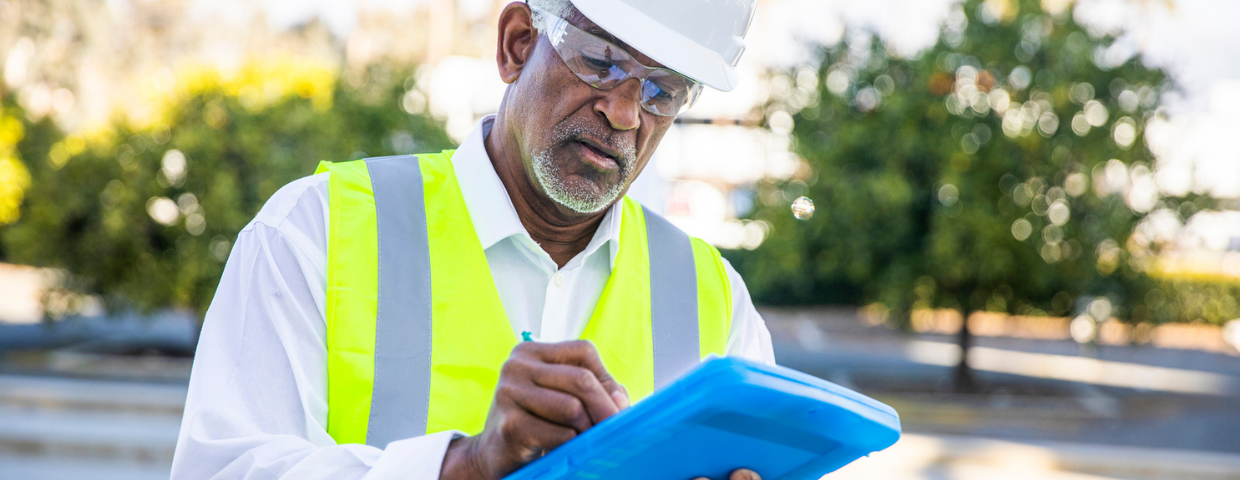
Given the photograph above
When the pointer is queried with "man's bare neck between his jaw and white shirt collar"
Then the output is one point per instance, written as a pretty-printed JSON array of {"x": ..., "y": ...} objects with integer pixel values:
[{"x": 561, "y": 233}]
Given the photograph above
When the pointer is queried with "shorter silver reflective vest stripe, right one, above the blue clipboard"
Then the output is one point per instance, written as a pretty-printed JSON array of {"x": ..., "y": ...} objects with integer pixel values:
[{"x": 673, "y": 300}]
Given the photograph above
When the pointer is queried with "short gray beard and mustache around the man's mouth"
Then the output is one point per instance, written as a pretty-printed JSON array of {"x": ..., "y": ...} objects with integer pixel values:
[{"x": 576, "y": 198}]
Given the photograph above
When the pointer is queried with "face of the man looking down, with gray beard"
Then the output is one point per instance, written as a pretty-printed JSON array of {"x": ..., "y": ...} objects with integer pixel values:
[{"x": 582, "y": 147}]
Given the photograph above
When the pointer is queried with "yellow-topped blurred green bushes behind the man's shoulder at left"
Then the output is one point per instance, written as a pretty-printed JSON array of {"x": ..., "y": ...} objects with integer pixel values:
[{"x": 144, "y": 210}]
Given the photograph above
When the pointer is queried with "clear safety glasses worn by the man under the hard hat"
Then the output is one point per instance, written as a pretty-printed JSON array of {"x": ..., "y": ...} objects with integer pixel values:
[{"x": 604, "y": 66}]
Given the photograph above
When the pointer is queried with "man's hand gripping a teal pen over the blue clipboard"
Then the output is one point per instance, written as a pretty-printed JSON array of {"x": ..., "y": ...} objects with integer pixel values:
[{"x": 547, "y": 395}]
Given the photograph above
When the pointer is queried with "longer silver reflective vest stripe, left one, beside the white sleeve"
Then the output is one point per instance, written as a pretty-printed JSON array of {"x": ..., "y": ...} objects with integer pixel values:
[{"x": 401, "y": 396}]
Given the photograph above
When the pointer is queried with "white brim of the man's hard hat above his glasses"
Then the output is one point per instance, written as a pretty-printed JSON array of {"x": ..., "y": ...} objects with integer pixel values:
[{"x": 662, "y": 44}]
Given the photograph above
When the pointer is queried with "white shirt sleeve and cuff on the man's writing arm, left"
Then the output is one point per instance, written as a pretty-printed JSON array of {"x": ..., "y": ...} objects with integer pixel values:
[{"x": 257, "y": 402}]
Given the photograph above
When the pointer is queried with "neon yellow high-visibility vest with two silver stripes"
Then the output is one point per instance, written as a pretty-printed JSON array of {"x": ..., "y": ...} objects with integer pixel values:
[{"x": 417, "y": 333}]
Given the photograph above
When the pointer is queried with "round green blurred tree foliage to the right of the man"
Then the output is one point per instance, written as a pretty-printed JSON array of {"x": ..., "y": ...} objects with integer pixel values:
[{"x": 1005, "y": 169}]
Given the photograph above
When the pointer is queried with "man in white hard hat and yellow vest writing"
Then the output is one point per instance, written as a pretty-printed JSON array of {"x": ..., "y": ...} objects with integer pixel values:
[{"x": 370, "y": 319}]
